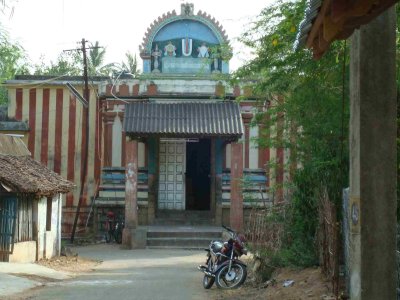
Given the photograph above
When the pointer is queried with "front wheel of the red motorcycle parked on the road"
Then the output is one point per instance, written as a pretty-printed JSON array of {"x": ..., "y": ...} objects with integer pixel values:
[{"x": 232, "y": 279}]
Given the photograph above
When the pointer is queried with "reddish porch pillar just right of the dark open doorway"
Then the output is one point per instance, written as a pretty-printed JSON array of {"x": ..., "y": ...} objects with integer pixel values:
[{"x": 236, "y": 209}]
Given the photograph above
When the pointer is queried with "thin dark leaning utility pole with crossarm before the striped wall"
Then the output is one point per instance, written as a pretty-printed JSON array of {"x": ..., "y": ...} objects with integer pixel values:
[{"x": 85, "y": 123}]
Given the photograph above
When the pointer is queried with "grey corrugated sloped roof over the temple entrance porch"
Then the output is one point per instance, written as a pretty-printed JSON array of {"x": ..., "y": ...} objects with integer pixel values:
[{"x": 188, "y": 119}]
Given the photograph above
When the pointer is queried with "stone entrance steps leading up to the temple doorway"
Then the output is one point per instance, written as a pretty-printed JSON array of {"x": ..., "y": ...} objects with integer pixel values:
[{"x": 182, "y": 230}]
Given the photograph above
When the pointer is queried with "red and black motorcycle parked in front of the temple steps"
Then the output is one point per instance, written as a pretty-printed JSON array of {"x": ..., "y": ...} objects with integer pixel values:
[{"x": 223, "y": 265}]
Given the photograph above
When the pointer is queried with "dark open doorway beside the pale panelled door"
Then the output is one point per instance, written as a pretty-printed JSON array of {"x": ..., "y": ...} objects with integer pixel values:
[{"x": 198, "y": 169}]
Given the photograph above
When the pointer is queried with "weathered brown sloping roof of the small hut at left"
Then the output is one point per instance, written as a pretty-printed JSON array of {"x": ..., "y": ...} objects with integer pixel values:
[{"x": 22, "y": 174}]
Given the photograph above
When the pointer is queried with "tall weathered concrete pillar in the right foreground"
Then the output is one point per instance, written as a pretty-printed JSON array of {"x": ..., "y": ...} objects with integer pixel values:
[{"x": 373, "y": 162}]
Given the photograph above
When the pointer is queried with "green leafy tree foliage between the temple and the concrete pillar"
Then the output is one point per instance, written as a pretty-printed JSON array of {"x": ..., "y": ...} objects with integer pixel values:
[{"x": 308, "y": 95}]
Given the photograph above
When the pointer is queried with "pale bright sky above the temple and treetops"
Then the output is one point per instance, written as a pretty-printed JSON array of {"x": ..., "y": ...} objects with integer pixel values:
[{"x": 47, "y": 27}]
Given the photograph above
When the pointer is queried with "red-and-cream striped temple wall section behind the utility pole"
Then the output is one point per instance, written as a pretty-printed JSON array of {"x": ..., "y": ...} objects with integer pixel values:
[{"x": 57, "y": 134}]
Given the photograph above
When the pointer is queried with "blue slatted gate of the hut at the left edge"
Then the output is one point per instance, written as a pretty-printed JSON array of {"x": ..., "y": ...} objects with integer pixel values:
[{"x": 8, "y": 216}]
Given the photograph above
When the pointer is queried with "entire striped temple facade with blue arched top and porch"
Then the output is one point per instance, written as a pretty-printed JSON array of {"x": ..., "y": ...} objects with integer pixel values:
[{"x": 171, "y": 141}]
